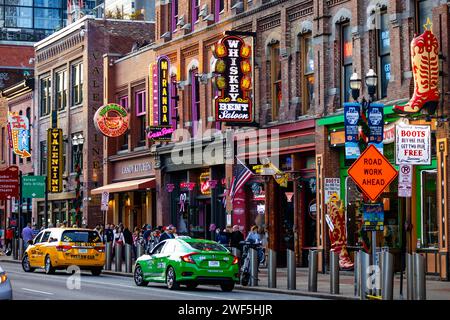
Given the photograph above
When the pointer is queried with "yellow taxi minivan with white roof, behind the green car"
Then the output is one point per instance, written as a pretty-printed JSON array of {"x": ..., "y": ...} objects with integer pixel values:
[{"x": 60, "y": 248}]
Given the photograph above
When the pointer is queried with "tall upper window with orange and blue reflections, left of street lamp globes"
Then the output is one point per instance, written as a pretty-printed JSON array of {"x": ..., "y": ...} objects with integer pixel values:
[{"x": 346, "y": 61}]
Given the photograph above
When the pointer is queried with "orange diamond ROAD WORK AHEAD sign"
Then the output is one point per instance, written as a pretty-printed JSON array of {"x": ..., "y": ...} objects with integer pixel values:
[{"x": 372, "y": 172}]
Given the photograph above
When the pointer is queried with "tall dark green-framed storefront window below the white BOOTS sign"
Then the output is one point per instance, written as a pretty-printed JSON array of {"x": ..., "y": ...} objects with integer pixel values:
[{"x": 430, "y": 231}]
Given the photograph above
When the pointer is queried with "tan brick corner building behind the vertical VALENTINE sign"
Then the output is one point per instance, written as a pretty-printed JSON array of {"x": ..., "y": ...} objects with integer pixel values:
[{"x": 69, "y": 79}]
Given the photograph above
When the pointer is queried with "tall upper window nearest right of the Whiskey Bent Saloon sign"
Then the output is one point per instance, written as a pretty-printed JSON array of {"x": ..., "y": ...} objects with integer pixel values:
[{"x": 275, "y": 76}]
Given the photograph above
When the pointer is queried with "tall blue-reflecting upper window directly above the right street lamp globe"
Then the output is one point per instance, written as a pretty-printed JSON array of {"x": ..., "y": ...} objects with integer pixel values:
[{"x": 384, "y": 54}]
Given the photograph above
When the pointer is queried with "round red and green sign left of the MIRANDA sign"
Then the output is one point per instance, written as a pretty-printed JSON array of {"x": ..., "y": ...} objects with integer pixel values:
[{"x": 111, "y": 120}]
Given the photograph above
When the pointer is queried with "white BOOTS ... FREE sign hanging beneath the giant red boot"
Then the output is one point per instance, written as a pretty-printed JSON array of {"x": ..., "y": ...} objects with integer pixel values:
[{"x": 413, "y": 145}]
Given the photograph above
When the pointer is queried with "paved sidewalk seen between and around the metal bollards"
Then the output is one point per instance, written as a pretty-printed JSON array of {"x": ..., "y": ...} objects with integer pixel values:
[{"x": 436, "y": 290}]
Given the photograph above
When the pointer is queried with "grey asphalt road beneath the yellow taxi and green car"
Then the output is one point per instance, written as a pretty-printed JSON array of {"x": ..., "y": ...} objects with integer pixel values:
[{"x": 63, "y": 286}]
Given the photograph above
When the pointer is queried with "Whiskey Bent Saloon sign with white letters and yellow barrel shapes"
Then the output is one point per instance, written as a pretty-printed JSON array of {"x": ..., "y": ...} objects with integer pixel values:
[{"x": 233, "y": 80}]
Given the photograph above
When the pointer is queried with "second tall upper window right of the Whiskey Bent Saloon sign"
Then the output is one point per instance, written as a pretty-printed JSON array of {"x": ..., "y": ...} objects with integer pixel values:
[{"x": 307, "y": 81}]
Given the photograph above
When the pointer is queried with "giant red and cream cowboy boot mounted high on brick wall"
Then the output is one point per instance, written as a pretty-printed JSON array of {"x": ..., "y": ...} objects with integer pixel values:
[{"x": 425, "y": 68}]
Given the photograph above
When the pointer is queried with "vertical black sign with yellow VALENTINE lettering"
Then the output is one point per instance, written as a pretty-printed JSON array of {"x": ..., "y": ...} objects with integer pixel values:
[{"x": 55, "y": 145}]
